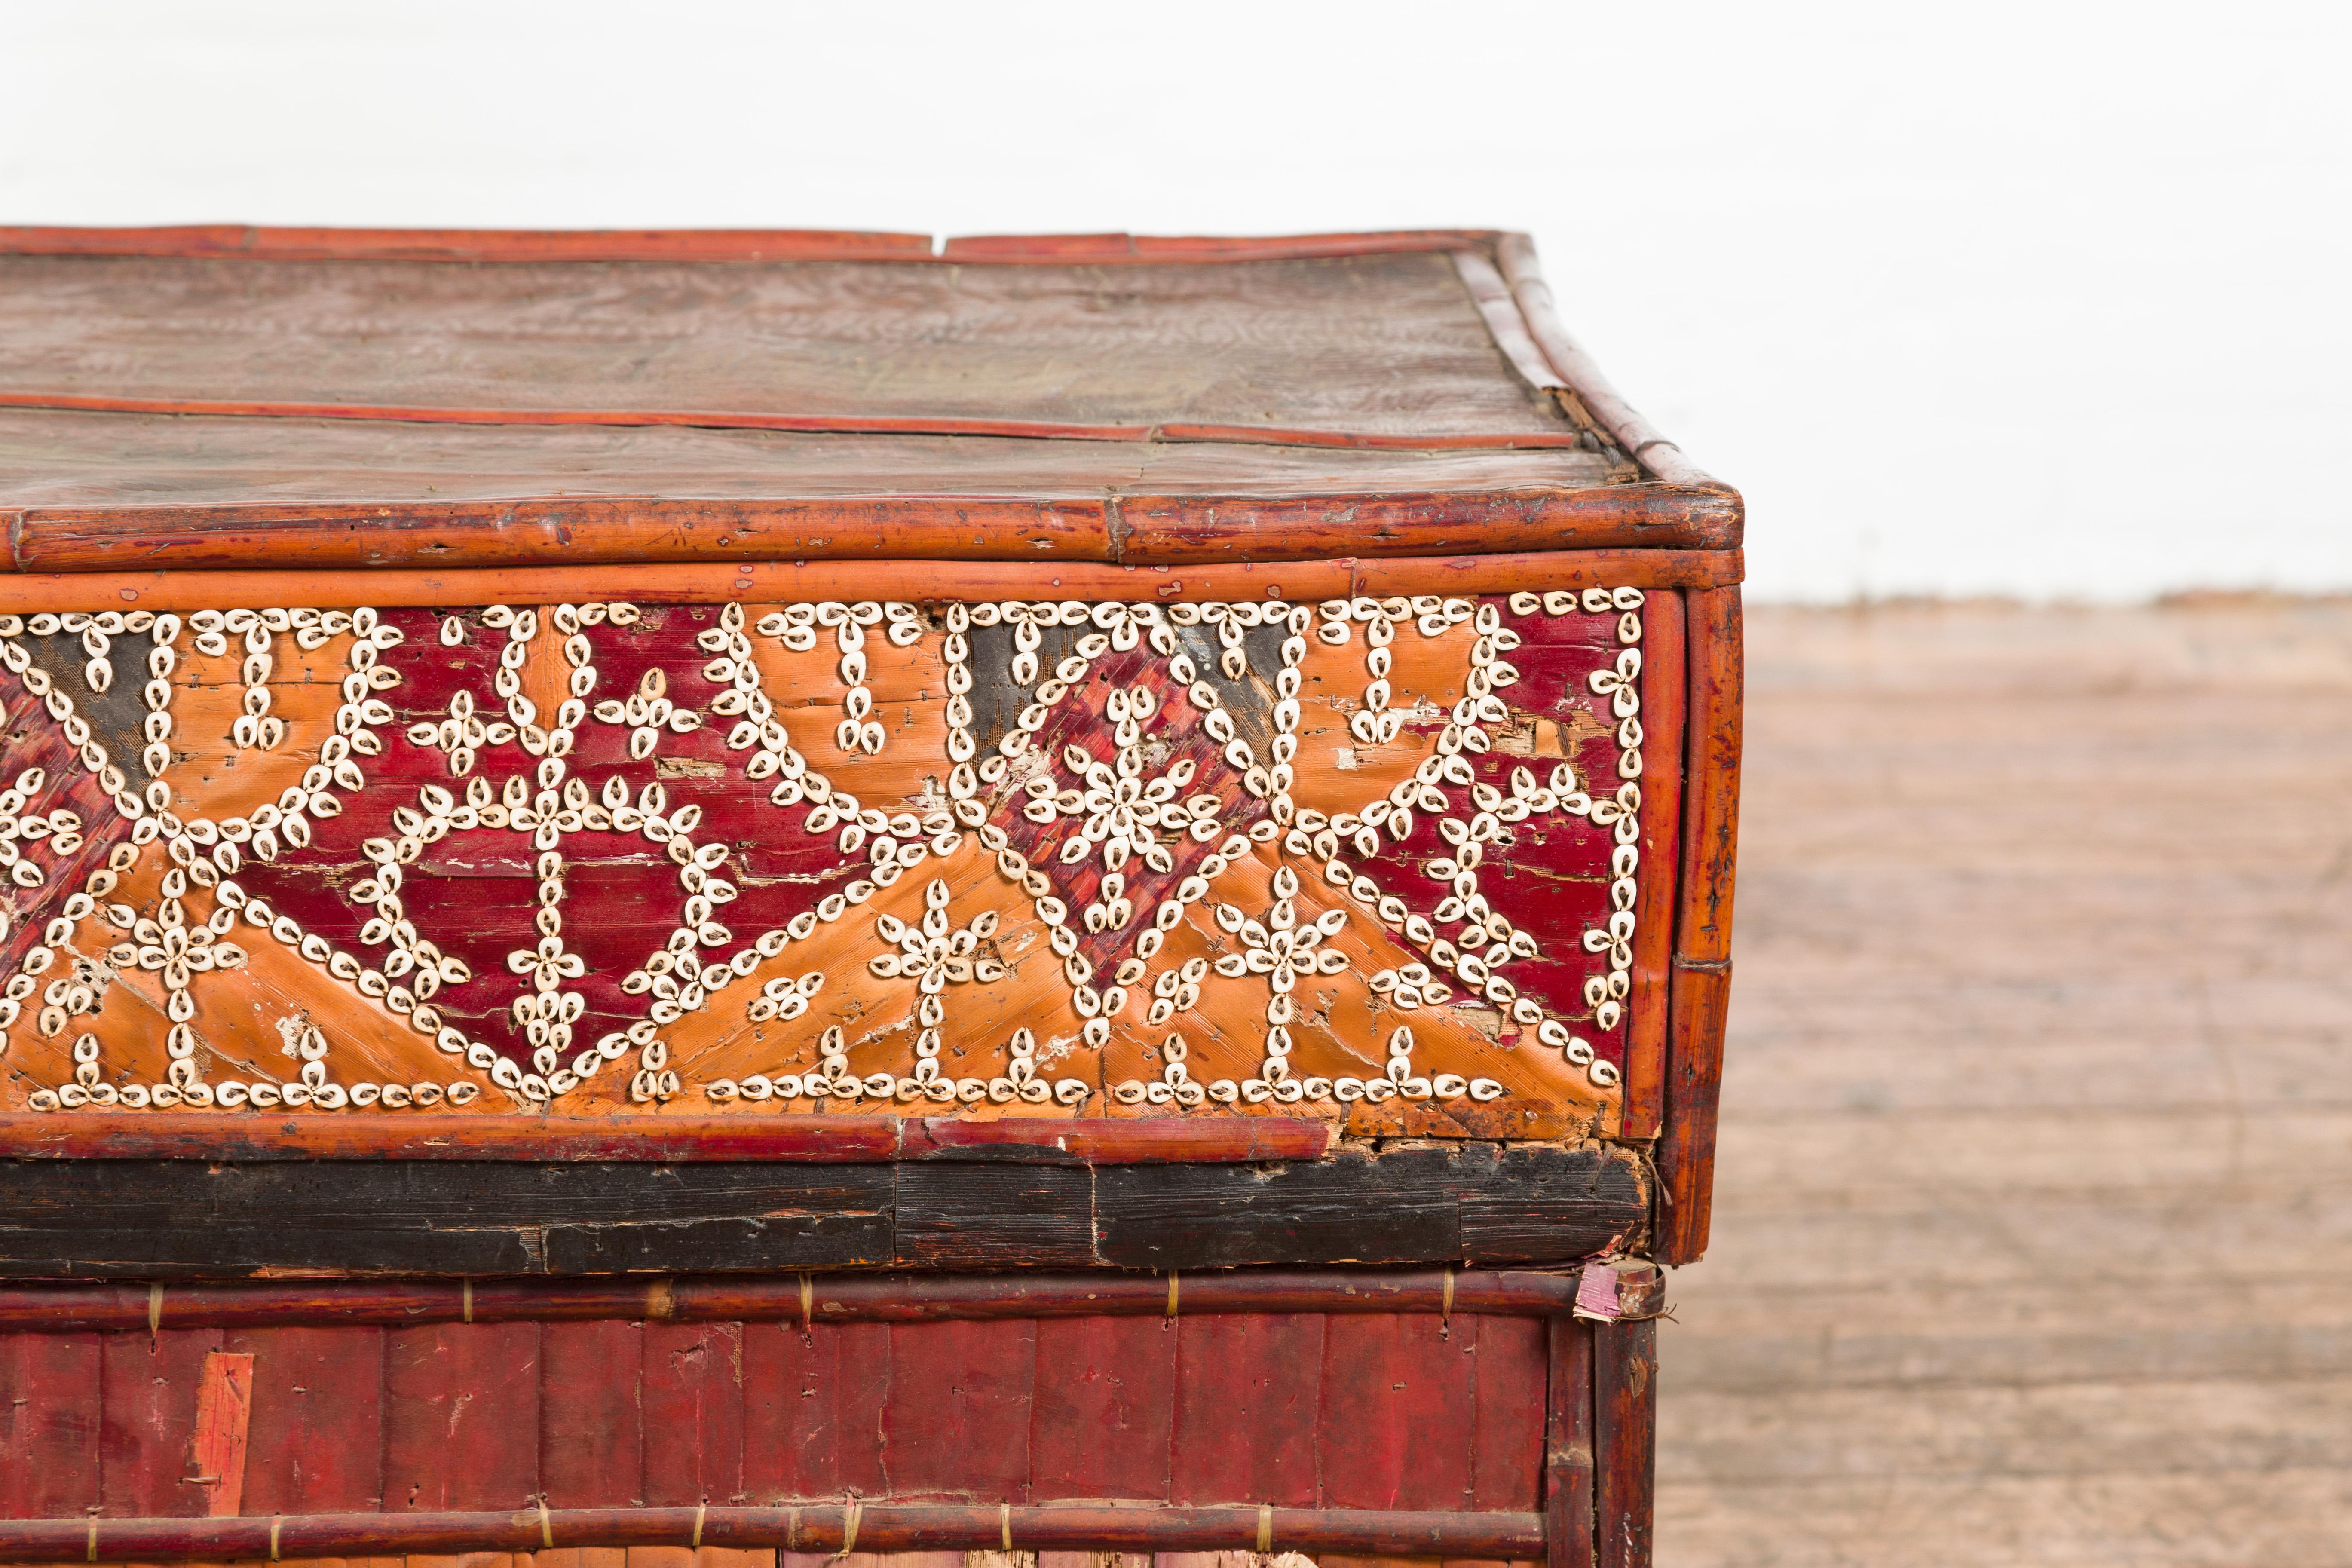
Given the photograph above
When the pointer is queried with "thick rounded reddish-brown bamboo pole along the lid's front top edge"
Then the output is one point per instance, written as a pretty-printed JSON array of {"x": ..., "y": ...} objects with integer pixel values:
[{"x": 1130, "y": 530}]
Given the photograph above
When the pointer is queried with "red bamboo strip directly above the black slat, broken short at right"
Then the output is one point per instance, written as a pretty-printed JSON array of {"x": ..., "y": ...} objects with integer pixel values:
[{"x": 662, "y": 1139}]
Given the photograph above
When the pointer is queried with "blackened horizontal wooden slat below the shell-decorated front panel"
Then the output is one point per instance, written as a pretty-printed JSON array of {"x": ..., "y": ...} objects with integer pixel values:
[{"x": 128, "y": 1219}]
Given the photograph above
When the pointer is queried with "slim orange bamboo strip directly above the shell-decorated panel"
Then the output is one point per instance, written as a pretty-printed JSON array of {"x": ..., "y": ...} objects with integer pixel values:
[{"x": 815, "y": 582}]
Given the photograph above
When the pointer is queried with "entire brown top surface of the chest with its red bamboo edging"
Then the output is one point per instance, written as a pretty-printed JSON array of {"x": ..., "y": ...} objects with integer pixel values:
[{"x": 211, "y": 398}]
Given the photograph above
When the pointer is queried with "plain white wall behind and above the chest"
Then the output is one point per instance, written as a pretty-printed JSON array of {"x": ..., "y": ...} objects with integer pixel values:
[{"x": 2036, "y": 300}]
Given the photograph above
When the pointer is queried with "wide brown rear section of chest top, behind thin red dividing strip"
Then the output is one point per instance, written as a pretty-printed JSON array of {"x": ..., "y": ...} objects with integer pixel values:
[{"x": 1379, "y": 347}]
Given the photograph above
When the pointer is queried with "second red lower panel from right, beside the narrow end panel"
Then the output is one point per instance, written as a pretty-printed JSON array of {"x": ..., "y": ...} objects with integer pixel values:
[{"x": 1396, "y": 1412}]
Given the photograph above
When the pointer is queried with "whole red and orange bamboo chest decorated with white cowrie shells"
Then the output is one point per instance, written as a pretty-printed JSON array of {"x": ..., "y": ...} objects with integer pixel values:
[{"x": 775, "y": 897}]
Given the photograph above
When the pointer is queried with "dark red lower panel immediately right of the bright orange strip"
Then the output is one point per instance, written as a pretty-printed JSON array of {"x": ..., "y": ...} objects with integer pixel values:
[{"x": 316, "y": 1438}]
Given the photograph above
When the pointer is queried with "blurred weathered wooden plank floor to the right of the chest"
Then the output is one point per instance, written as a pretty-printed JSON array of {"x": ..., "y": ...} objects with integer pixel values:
[{"x": 2033, "y": 1238}]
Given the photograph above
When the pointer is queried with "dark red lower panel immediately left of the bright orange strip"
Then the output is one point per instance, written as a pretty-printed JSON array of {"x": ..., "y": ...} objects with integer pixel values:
[{"x": 149, "y": 1419}]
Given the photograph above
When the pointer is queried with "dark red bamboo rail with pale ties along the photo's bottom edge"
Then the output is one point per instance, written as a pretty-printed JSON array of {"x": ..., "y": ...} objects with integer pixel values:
[{"x": 810, "y": 1527}]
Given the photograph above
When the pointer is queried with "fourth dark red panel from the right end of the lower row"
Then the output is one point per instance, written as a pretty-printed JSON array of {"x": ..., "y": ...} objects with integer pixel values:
[{"x": 1107, "y": 1409}]
